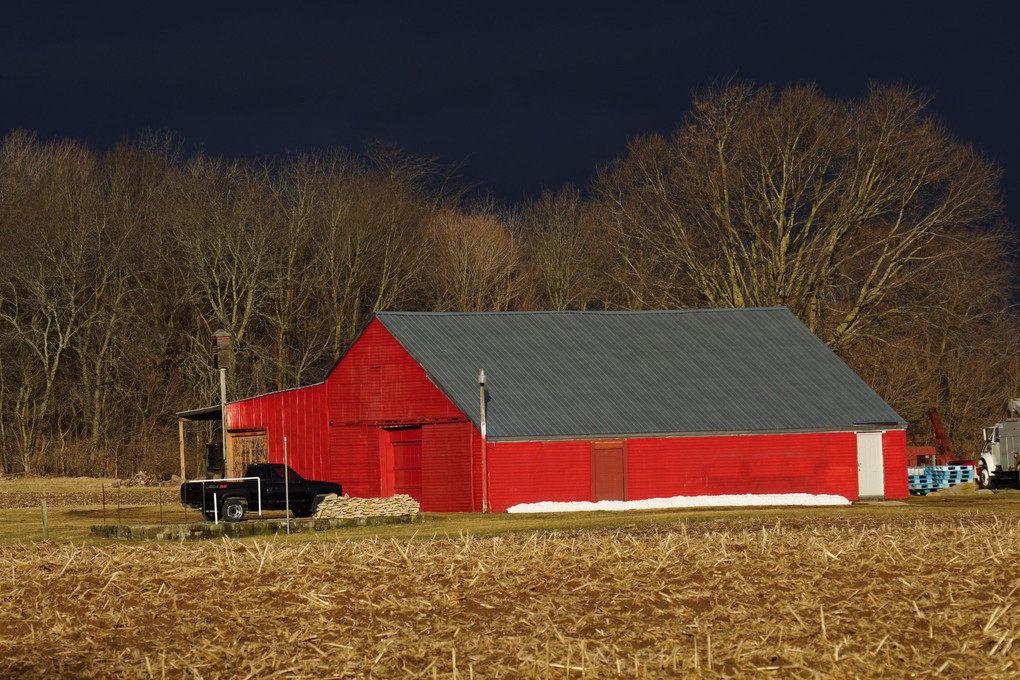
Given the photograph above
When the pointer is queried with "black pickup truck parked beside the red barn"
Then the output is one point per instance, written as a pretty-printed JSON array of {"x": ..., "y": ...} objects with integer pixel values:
[{"x": 265, "y": 487}]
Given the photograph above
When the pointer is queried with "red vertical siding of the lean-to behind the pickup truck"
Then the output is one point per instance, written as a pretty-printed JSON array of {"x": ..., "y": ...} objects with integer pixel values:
[{"x": 298, "y": 414}]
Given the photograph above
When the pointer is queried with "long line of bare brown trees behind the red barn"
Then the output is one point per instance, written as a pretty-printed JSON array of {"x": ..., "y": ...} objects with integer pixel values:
[{"x": 868, "y": 219}]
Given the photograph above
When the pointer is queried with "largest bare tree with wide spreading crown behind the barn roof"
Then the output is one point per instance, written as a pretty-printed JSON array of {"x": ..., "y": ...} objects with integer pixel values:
[{"x": 794, "y": 199}]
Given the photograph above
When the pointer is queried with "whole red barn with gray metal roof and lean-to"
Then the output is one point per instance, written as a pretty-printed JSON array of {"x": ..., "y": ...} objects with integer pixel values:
[{"x": 582, "y": 406}]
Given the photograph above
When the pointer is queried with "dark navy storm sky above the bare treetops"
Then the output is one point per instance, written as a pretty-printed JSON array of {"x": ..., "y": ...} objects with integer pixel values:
[{"x": 527, "y": 95}]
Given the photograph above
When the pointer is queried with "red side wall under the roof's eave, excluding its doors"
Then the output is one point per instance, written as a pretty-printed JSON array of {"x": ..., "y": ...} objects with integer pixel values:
[{"x": 665, "y": 467}]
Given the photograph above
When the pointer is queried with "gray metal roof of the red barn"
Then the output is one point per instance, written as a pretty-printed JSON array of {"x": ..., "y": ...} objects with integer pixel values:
[{"x": 572, "y": 375}]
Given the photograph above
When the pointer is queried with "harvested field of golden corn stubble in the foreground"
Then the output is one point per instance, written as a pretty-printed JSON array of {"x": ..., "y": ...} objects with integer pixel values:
[{"x": 853, "y": 597}]
